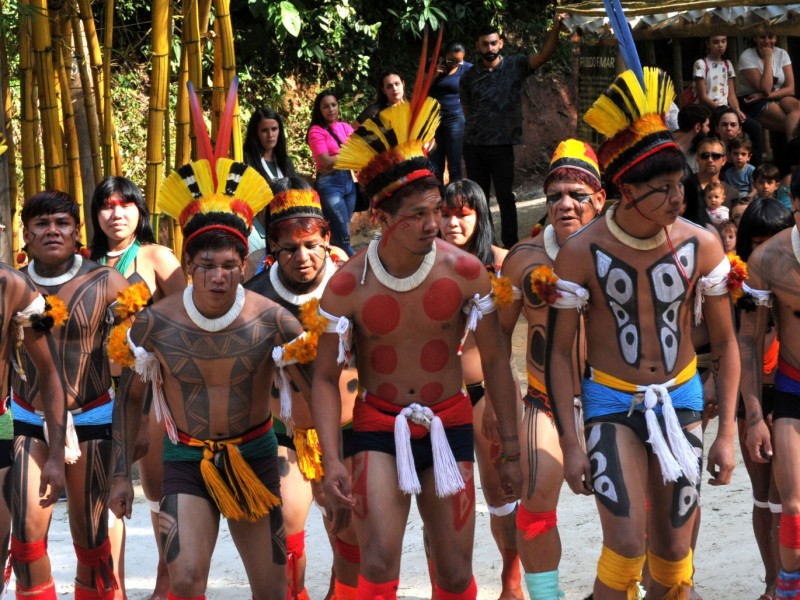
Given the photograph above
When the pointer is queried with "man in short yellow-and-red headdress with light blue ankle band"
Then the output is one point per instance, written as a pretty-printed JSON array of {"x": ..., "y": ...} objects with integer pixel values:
[{"x": 574, "y": 198}]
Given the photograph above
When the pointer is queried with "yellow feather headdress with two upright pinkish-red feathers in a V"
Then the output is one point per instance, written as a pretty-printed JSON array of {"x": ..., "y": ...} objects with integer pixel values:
[{"x": 214, "y": 192}]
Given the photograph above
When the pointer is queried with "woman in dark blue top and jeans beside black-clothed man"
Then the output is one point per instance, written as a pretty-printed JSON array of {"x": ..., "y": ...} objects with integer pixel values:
[{"x": 450, "y": 135}]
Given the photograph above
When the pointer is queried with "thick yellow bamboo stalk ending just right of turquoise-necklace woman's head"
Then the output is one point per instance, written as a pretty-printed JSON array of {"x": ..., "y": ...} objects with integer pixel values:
[{"x": 159, "y": 76}]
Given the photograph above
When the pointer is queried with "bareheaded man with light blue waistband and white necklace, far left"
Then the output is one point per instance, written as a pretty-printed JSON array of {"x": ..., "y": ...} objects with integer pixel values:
[{"x": 51, "y": 222}]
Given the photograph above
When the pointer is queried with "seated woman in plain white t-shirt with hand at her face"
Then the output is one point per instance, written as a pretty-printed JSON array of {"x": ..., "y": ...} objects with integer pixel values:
[{"x": 766, "y": 92}]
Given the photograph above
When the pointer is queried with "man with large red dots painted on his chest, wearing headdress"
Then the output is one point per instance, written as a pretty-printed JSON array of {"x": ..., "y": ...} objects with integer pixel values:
[{"x": 404, "y": 302}]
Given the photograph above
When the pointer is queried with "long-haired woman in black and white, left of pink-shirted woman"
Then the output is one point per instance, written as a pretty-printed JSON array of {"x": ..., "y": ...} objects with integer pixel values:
[{"x": 265, "y": 151}]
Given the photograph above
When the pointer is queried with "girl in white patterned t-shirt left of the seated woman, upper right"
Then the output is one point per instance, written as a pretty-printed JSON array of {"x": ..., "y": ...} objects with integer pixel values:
[{"x": 715, "y": 86}]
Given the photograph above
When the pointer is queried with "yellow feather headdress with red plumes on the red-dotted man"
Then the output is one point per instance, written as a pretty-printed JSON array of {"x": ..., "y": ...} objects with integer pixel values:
[{"x": 388, "y": 151}]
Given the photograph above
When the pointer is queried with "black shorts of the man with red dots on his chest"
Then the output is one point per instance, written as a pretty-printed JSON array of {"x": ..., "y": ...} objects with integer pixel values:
[{"x": 459, "y": 438}]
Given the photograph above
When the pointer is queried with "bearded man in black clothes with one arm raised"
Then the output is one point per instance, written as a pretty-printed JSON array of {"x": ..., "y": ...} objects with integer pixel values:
[{"x": 491, "y": 98}]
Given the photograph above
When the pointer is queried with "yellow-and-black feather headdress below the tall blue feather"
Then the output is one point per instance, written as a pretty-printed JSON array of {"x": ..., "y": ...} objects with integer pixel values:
[{"x": 632, "y": 119}]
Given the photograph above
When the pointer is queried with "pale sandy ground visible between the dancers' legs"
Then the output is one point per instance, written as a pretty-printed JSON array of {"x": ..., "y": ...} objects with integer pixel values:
[{"x": 727, "y": 561}]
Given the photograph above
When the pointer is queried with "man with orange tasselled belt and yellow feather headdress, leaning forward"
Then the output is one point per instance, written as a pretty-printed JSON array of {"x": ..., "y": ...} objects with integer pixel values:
[{"x": 209, "y": 356}]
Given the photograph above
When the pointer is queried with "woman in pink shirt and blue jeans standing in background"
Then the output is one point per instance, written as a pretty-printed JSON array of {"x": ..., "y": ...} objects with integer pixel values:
[{"x": 336, "y": 188}]
